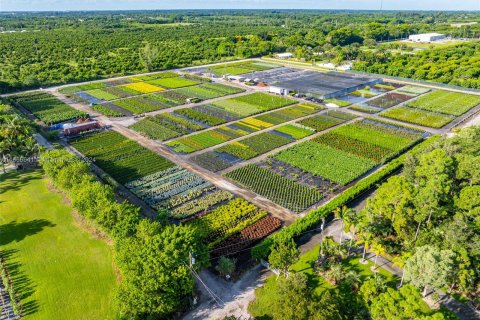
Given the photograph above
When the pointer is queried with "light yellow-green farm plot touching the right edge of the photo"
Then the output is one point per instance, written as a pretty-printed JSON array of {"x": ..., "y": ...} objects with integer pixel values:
[{"x": 451, "y": 103}]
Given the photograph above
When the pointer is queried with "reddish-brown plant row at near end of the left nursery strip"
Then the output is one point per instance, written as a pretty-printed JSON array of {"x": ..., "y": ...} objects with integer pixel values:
[{"x": 247, "y": 236}]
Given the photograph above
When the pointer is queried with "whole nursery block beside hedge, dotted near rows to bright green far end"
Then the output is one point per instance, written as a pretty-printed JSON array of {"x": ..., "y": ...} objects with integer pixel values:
[{"x": 332, "y": 159}]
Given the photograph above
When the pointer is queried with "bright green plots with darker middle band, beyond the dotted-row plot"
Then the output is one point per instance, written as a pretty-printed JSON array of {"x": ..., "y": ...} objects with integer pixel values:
[{"x": 345, "y": 153}]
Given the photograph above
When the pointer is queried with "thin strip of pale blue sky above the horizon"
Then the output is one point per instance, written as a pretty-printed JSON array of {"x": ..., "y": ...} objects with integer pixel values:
[{"x": 46, "y": 5}]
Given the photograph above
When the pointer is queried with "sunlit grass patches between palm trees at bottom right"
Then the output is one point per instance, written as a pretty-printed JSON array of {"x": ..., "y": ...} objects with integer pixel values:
[{"x": 261, "y": 307}]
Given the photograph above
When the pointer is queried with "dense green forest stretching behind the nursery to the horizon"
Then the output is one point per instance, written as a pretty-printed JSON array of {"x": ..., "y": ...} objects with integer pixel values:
[{"x": 41, "y": 49}]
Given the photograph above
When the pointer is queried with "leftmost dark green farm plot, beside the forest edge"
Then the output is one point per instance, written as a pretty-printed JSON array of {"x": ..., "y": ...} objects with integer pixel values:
[{"x": 47, "y": 108}]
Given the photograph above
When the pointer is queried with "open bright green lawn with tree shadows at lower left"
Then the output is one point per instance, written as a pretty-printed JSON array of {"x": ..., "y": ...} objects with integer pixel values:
[{"x": 59, "y": 270}]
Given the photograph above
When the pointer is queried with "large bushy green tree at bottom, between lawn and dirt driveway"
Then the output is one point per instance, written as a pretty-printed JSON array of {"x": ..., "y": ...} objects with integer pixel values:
[{"x": 157, "y": 280}]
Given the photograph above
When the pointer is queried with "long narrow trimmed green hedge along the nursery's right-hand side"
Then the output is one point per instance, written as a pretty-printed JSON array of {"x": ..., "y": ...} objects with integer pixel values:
[{"x": 262, "y": 250}]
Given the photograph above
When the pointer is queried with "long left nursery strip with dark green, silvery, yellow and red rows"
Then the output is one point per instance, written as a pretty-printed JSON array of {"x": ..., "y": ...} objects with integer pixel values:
[{"x": 219, "y": 216}]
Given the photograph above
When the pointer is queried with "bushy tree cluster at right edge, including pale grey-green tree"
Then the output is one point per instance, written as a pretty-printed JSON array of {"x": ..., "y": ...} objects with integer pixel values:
[{"x": 432, "y": 212}]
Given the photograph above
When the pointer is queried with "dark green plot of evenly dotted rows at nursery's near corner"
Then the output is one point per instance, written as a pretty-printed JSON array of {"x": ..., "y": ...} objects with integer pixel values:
[{"x": 283, "y": 191}]
